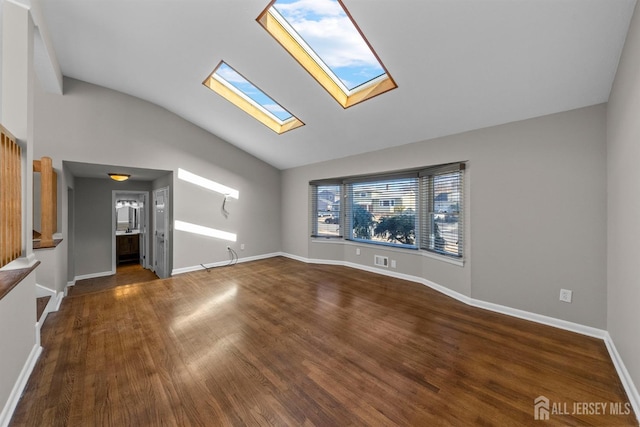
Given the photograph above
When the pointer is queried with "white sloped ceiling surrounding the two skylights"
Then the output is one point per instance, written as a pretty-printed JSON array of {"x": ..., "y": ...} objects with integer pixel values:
[{"x": 459, "y": 65}]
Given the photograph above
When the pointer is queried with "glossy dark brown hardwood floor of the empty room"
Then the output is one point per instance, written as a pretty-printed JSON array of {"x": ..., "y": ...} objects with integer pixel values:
[{"x": 278, "y": 342}]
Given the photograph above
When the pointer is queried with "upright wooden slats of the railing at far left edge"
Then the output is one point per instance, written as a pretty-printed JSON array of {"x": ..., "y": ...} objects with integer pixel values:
[{"x": 10, "y": 198}]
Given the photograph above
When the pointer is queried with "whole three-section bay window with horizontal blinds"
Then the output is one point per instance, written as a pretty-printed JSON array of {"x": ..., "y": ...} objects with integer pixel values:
[{"x": 417, "y": 209}]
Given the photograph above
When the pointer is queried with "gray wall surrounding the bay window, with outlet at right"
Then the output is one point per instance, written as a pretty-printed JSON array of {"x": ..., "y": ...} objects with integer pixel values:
[{"x": 536, "y": 213}]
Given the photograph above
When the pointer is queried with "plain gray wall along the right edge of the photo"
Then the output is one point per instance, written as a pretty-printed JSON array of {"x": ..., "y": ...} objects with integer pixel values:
[{"x": 623, "y": 152}]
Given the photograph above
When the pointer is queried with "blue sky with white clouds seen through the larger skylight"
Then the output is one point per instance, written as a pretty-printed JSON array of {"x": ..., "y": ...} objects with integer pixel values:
[{"x": 329, "y": 32}]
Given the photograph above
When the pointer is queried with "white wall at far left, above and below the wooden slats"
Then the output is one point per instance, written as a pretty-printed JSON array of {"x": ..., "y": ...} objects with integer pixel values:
[{"x": 18, "y": 336}]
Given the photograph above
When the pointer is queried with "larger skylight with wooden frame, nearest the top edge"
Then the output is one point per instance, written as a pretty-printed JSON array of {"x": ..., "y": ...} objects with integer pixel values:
[{"x": 323, "y": 38}]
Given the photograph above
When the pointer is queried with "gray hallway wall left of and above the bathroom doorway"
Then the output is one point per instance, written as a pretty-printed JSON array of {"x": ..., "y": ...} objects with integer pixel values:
[{"x": 93, "y": 227}]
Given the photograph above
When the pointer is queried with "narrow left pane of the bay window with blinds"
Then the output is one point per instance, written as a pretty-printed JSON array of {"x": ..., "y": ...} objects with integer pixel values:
[{"x": 326, "y": 208}]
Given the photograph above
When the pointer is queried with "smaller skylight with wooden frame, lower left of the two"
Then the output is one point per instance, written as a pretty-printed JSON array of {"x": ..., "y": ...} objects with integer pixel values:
[{"x": 229, "y": 84}]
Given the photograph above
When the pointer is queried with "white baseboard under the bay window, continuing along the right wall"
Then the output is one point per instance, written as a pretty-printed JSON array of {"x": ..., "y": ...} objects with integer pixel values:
[{"x": 623, "y": 373}]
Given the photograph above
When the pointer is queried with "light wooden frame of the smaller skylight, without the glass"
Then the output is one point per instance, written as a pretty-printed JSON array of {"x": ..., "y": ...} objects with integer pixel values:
[{"x": 228, "y": 91}]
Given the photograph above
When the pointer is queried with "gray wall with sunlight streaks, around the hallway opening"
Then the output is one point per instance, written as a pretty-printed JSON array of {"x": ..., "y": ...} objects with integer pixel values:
[{"x": 96, "y": 125}]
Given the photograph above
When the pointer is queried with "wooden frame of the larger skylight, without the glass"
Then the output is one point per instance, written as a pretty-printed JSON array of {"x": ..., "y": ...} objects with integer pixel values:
[{"x": 279, "y": 28}]
